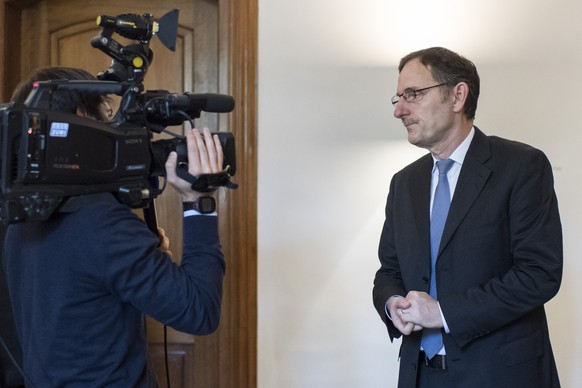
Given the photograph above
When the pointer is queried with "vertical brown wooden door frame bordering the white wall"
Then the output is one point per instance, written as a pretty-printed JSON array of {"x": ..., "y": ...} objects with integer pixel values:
[{"x": 236, "y": 340}]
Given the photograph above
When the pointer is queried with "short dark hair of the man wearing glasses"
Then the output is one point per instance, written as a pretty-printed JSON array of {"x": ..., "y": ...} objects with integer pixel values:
[{"x": 451, "y": 68}]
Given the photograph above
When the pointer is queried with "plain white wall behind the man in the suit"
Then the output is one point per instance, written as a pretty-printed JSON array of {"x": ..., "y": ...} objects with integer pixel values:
[{"x": 328, "y": 146}]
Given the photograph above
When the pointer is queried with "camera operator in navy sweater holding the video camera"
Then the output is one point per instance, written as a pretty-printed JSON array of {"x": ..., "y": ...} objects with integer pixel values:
[{"x": 81, "y": 282}]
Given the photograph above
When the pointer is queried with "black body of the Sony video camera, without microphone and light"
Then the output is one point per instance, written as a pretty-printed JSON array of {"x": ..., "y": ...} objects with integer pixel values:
[{"x": 51, "y": 156}]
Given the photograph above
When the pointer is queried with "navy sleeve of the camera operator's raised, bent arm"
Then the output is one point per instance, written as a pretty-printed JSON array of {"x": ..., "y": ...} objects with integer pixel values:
[{"x": 186, "y": 296}]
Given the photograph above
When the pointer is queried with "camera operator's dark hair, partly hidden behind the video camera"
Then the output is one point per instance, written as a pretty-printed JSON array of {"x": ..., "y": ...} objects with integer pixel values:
[{"x": 64, "y": 101}]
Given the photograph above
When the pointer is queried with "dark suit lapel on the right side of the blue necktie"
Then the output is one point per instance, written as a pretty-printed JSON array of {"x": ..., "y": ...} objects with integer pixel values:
[{"x": 473, "y": 177}]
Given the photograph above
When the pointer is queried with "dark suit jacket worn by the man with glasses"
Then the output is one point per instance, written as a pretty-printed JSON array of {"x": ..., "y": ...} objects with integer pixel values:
[{"x": 499, "y": 261}]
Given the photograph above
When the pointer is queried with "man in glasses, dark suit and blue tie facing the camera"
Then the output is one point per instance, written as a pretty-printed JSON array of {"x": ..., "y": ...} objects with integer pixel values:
[{"x": 500, "y": 257}]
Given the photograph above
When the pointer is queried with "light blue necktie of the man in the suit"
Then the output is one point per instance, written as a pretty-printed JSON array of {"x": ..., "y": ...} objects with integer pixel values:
[{"x": 432, "y": 340}]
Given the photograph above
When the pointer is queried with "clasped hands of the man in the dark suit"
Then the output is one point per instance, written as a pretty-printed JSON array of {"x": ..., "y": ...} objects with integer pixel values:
[{"x": 417, "y": 311}]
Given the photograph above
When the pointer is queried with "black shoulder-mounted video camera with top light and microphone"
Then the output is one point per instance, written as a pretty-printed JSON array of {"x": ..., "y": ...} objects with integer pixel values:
[{"x": 47, "y": 157}]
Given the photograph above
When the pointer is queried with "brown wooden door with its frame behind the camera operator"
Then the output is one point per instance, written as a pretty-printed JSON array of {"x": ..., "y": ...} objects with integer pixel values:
[{"x": 215, "y": 52}]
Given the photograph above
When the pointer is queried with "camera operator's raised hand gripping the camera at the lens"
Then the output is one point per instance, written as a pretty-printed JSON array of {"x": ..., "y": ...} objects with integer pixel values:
[{"x": 204, "y": 157}]
